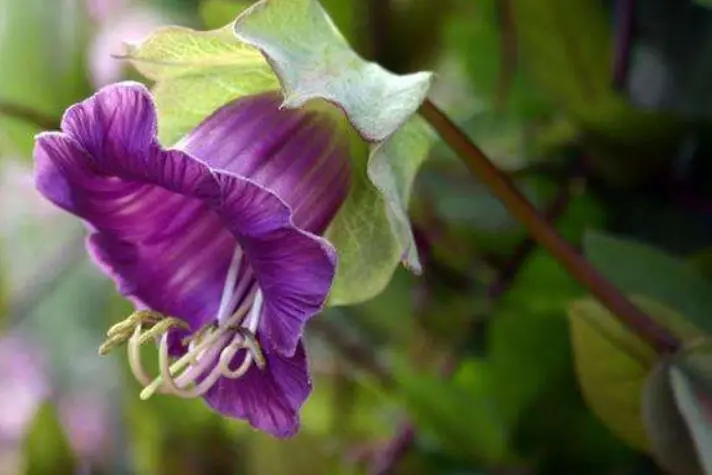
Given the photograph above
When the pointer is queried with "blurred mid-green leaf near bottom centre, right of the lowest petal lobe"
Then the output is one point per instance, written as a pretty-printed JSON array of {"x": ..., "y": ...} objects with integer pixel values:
[{"x": 461, "y": 414}]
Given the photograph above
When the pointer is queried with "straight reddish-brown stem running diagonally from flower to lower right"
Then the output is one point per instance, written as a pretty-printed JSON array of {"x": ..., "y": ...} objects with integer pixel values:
[{"x": 546, "y": 235}]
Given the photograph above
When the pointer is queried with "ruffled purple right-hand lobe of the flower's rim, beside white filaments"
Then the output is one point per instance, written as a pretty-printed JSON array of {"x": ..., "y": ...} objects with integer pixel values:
[{"x": 294, "y": 268}]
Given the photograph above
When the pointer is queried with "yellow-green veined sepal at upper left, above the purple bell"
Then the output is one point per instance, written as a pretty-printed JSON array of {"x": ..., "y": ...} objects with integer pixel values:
[{"x": 196, "y": 72}]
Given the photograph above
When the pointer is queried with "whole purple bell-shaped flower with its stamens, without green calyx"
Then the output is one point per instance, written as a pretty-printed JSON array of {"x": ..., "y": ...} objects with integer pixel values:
[{"x": 216, "y": 240}]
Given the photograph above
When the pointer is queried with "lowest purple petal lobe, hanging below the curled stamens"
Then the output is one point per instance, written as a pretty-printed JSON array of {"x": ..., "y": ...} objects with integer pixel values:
[{"x": 269, "y": 399}]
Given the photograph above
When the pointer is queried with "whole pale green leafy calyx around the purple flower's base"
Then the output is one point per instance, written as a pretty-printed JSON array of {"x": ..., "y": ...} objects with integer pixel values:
[{"x": 197, "y": 72}]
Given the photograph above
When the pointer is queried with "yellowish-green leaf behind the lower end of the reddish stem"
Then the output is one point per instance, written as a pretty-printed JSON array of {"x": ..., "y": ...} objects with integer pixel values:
[{"x": 612, "y": 363}]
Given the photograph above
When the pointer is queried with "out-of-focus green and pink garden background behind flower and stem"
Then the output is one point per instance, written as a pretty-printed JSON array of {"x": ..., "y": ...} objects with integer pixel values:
[{"x": 467, "y": 369}]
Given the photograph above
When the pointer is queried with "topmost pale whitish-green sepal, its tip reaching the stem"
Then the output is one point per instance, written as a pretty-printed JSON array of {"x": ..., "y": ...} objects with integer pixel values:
[{"x": 313, "y": 60}]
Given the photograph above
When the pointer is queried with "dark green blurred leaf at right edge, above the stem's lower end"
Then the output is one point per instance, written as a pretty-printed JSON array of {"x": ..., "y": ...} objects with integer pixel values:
[{"x": 637, "y": 268}]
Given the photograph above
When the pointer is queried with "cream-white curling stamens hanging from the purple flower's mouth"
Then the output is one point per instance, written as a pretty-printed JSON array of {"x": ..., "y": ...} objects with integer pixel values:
[{"x": 211, "y": 349}]
